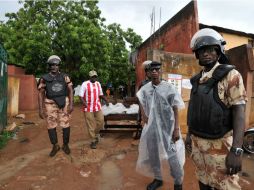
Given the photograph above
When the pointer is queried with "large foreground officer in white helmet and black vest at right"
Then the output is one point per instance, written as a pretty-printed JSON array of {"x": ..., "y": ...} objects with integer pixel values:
[{"x": 215, "y": 115}]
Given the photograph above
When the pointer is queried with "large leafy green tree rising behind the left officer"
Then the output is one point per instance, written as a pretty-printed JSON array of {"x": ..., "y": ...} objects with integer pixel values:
[{"x": 75, "y": 31}]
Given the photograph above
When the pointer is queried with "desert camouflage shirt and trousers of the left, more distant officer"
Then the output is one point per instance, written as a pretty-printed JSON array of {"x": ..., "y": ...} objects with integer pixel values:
[{"x": 53, "y": 112}]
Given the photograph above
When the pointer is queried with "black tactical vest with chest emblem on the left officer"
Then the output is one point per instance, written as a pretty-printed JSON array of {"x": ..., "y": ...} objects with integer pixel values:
[{"x": 56, "y": 88}]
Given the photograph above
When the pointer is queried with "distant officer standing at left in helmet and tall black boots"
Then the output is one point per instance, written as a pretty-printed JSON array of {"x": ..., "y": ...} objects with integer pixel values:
[{"x": 56, "y": 96}]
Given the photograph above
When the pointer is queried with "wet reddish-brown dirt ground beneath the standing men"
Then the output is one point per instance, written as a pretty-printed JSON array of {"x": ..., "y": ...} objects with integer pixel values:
[{"x": 25, "y": 164}]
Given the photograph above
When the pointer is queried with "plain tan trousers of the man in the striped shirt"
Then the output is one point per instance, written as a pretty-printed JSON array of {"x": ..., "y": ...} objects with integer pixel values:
[{"x": 94, "y": 123}]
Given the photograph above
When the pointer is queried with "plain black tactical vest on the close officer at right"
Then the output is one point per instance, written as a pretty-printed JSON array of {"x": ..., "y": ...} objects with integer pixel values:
[{"x": 208, "y": 116}]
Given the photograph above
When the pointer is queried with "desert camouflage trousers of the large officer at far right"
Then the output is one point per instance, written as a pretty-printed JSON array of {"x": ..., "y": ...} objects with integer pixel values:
[{"x": 209, "y": 156}]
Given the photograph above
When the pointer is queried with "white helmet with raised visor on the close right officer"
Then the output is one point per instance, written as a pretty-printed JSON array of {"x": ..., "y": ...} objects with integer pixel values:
[{"x": 209, "y": 37}]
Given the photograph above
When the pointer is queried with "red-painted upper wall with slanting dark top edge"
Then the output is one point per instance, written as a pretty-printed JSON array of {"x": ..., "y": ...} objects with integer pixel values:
[{"x": 173, "y": 36}]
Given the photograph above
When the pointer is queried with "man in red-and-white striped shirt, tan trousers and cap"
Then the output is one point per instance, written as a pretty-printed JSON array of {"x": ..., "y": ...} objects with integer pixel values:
[{"x": 90, "y": 94}]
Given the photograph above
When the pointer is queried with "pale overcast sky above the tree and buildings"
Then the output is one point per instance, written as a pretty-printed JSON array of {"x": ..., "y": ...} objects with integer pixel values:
[{"x": 232, "y": 14}]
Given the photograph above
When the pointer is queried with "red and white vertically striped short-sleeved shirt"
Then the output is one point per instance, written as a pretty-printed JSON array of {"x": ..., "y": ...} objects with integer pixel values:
[{"x": 90, "y": 92}]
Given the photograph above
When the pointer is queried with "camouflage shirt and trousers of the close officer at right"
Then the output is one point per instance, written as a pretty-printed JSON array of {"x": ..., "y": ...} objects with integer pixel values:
[{"x": 209, "y": 155}]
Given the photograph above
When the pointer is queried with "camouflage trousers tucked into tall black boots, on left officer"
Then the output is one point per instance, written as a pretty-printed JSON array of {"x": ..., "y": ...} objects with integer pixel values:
[{"x": 57, "y": 116}]
